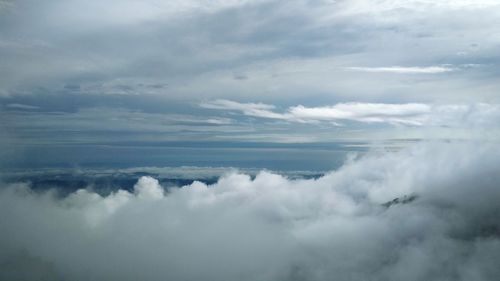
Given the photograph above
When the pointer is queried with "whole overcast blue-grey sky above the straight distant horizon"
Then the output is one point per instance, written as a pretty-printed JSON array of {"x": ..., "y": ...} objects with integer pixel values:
[{"x": 236, "y": 70}]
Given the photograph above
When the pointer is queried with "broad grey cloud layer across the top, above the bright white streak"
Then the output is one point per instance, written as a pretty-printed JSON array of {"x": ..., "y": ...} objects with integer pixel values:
[{"x": 284, "y": 50}]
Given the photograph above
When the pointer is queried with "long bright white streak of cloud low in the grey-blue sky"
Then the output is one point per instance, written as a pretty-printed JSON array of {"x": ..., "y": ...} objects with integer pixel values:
[{"x": 412, "y": 114}]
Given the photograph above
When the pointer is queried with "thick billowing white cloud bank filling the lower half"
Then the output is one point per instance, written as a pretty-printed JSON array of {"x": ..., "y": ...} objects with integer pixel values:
[{"x": 444, "y": 226}]
